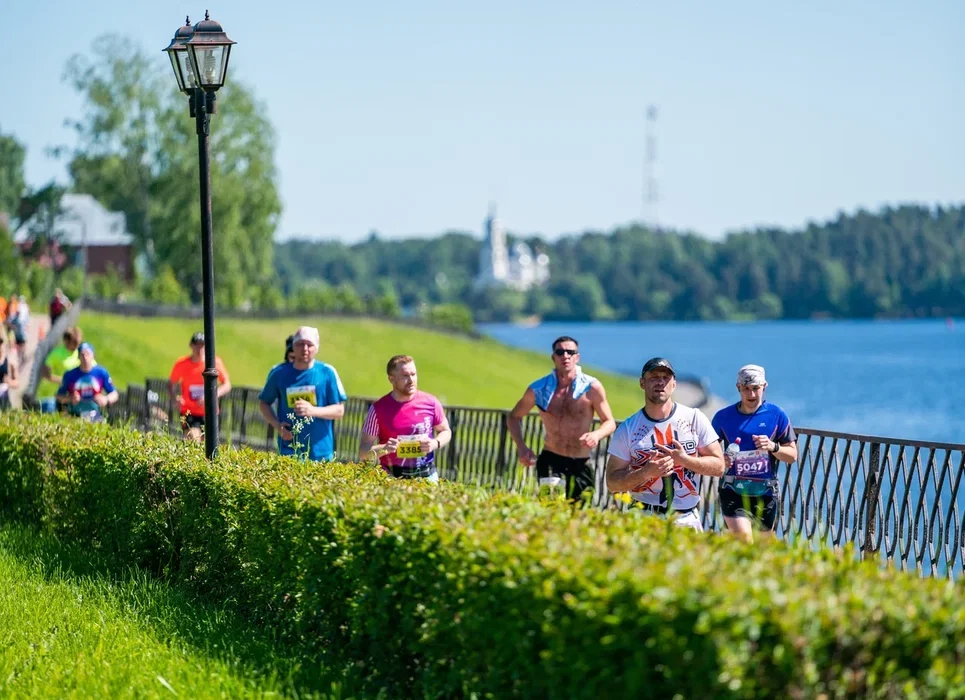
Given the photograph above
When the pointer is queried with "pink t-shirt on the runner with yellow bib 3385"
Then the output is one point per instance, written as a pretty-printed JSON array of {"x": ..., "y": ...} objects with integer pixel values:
[{"x": 389, "y": 418}]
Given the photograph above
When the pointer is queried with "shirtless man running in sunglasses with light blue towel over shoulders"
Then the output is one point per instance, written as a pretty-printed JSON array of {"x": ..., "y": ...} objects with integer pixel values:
[{"x": 567, "y": 399}]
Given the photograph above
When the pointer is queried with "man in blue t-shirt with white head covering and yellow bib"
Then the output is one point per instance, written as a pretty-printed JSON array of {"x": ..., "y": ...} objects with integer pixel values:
[{"x": 305, "y": 395}]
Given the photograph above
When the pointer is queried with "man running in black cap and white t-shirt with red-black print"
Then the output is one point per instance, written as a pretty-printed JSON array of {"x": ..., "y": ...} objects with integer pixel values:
[{"x": 660, "y": 452}]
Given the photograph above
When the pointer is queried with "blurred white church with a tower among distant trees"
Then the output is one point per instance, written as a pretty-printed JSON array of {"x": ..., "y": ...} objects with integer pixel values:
[{"x": 499, "y": 266}]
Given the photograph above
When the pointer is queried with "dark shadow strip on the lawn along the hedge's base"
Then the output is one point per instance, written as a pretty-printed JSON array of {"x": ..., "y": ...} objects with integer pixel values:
[{"x": 171, "y": 613}]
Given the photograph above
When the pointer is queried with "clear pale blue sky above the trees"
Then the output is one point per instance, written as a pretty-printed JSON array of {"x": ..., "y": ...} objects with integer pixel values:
[{"x": 410, "y": 118}]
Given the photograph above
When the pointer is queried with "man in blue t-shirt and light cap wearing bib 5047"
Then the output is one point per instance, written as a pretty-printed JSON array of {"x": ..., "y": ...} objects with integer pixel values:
[{"x": 756, "y": 436}]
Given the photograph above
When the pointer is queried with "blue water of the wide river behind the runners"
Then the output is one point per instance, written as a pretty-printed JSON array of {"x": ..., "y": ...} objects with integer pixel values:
[{"x": 899, "y": 379}]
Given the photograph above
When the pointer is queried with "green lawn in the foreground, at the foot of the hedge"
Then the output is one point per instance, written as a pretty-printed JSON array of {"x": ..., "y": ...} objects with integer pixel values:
[{"x": 70, "y": 628}]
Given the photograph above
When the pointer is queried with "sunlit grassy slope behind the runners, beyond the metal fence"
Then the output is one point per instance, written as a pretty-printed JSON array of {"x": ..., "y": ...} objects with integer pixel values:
[{"x": 460, "y": 371}]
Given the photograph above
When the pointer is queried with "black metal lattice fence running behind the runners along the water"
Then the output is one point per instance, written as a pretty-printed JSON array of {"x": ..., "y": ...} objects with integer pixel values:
[{"x": 897, "y": 500}]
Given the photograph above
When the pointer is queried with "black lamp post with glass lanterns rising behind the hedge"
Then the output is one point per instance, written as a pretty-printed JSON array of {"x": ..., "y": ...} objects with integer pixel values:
[{"x": 199, "y": 57}]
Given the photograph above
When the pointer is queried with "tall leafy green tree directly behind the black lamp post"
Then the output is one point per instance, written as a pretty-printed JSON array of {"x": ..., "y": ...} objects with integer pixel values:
[{"x": 137, "y": 153}]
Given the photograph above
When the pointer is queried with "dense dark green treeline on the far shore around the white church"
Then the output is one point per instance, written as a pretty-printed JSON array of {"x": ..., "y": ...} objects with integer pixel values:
[{"x": 899, "y": 262}]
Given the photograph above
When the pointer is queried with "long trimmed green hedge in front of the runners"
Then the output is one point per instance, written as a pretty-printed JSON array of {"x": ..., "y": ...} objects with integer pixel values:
[{"x": 446, "y": 590}]
